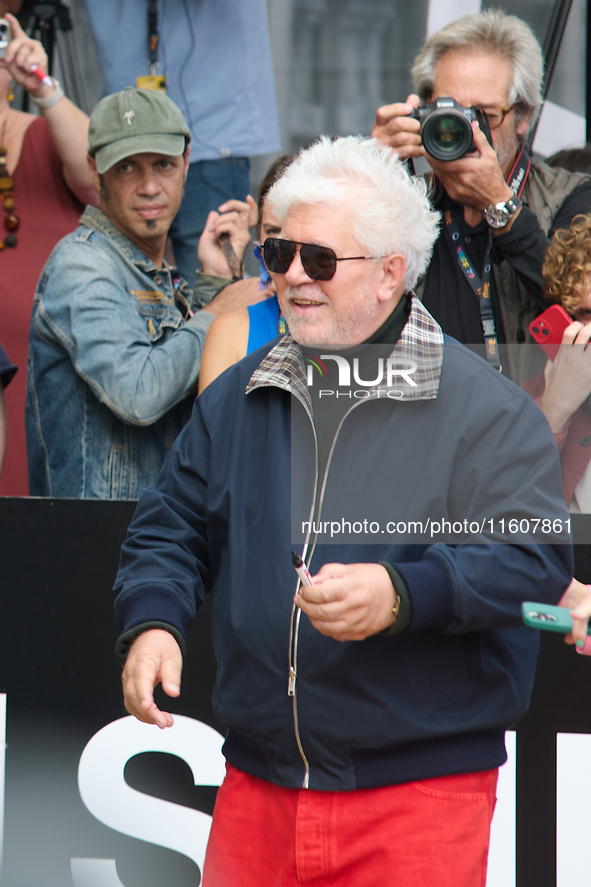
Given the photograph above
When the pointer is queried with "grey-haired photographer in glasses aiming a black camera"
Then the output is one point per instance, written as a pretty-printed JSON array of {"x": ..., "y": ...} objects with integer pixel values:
[{"x": 499, "y": 207}]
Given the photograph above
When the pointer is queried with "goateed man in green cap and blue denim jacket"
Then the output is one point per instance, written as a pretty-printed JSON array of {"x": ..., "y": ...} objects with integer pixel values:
[{"x": 116, "y": 334}]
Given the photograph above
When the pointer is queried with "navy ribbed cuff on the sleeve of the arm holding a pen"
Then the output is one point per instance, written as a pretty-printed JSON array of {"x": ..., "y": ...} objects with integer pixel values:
[{"x": 430, "y": 594}]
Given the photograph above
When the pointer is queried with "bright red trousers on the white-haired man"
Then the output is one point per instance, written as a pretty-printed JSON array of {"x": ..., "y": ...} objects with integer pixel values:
[{"x": 433, "y": 833}]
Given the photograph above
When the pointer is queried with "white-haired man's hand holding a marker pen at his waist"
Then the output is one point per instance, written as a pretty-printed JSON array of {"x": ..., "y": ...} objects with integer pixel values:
[{"x": 349, "y": 602}]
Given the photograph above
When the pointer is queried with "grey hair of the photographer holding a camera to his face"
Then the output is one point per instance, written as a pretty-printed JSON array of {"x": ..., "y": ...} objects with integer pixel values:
[{"x": 496, "y": 33}]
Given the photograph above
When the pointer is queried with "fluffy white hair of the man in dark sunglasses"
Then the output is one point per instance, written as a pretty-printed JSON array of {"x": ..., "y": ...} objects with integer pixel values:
[{"x": 387, "y": 208}]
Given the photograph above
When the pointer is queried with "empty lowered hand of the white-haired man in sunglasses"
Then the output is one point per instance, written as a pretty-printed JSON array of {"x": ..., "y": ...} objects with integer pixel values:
[{"x": 154, "y": 657}]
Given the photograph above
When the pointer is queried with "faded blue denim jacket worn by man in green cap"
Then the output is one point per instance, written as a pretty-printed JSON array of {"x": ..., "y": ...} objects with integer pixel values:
[{"x": 113, "y": 360}]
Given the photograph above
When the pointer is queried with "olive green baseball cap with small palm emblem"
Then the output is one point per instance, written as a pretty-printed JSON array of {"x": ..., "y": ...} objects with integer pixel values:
[{"x": 135, "y": 121}]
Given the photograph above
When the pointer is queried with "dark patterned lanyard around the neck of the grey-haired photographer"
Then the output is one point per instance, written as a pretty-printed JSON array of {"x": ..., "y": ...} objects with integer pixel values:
[{"x": 481, "y": 285}]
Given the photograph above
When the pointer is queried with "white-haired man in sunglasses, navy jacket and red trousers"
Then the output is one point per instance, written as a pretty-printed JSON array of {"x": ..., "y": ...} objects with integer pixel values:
[{"x": 365, "y": 705}]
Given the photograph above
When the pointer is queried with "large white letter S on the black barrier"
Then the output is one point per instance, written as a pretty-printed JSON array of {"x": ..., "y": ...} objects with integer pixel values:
[{"x": 114, "y": 803}]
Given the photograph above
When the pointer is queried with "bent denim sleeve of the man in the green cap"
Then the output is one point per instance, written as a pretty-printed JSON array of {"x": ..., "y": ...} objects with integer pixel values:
[{"x": 86, "y": 307}]
